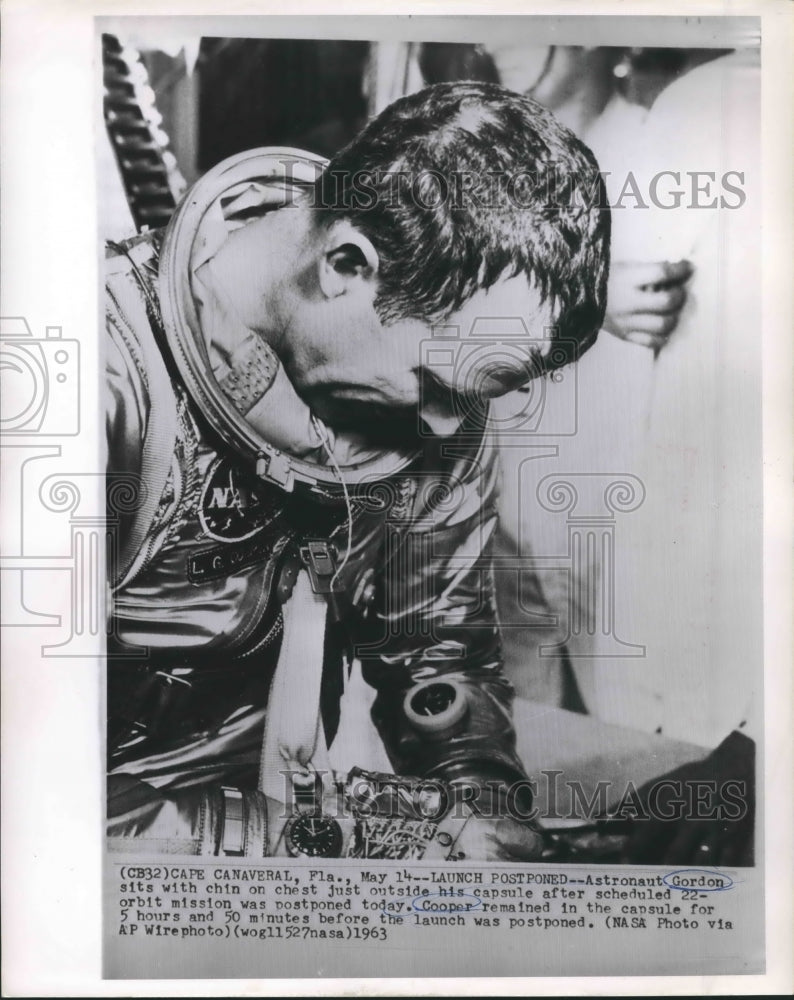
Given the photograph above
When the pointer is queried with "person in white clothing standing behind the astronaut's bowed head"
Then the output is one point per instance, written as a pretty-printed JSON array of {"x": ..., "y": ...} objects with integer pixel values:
[{"x": 671, "y": 395}]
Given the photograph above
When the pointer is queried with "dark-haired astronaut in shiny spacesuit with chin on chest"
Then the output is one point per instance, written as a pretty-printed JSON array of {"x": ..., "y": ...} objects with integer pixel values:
[{"x": 299, "y": 371}]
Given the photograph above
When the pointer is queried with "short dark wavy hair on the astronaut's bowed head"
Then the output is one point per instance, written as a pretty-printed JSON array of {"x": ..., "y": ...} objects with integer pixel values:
[{"x": 462, "y": 183}]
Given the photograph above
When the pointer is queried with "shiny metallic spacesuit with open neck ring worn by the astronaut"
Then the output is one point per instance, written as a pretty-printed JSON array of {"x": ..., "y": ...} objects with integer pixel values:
[{"x": 222, "y": 490}]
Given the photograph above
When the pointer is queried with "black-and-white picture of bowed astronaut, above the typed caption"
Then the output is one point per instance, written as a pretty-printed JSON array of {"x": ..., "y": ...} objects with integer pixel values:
[{"x": 437, "y": 537}]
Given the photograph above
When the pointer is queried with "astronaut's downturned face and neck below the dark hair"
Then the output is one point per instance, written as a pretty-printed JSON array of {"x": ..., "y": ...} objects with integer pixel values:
[{"x": 358, "y": 373}]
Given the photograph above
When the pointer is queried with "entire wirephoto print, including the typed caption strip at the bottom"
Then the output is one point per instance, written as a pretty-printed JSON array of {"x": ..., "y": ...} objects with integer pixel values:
[{"x": 421, "y": 561}]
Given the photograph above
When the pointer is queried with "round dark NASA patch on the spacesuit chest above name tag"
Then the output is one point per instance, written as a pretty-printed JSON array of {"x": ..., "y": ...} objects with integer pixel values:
[{"x": 232, "y": 508}]
